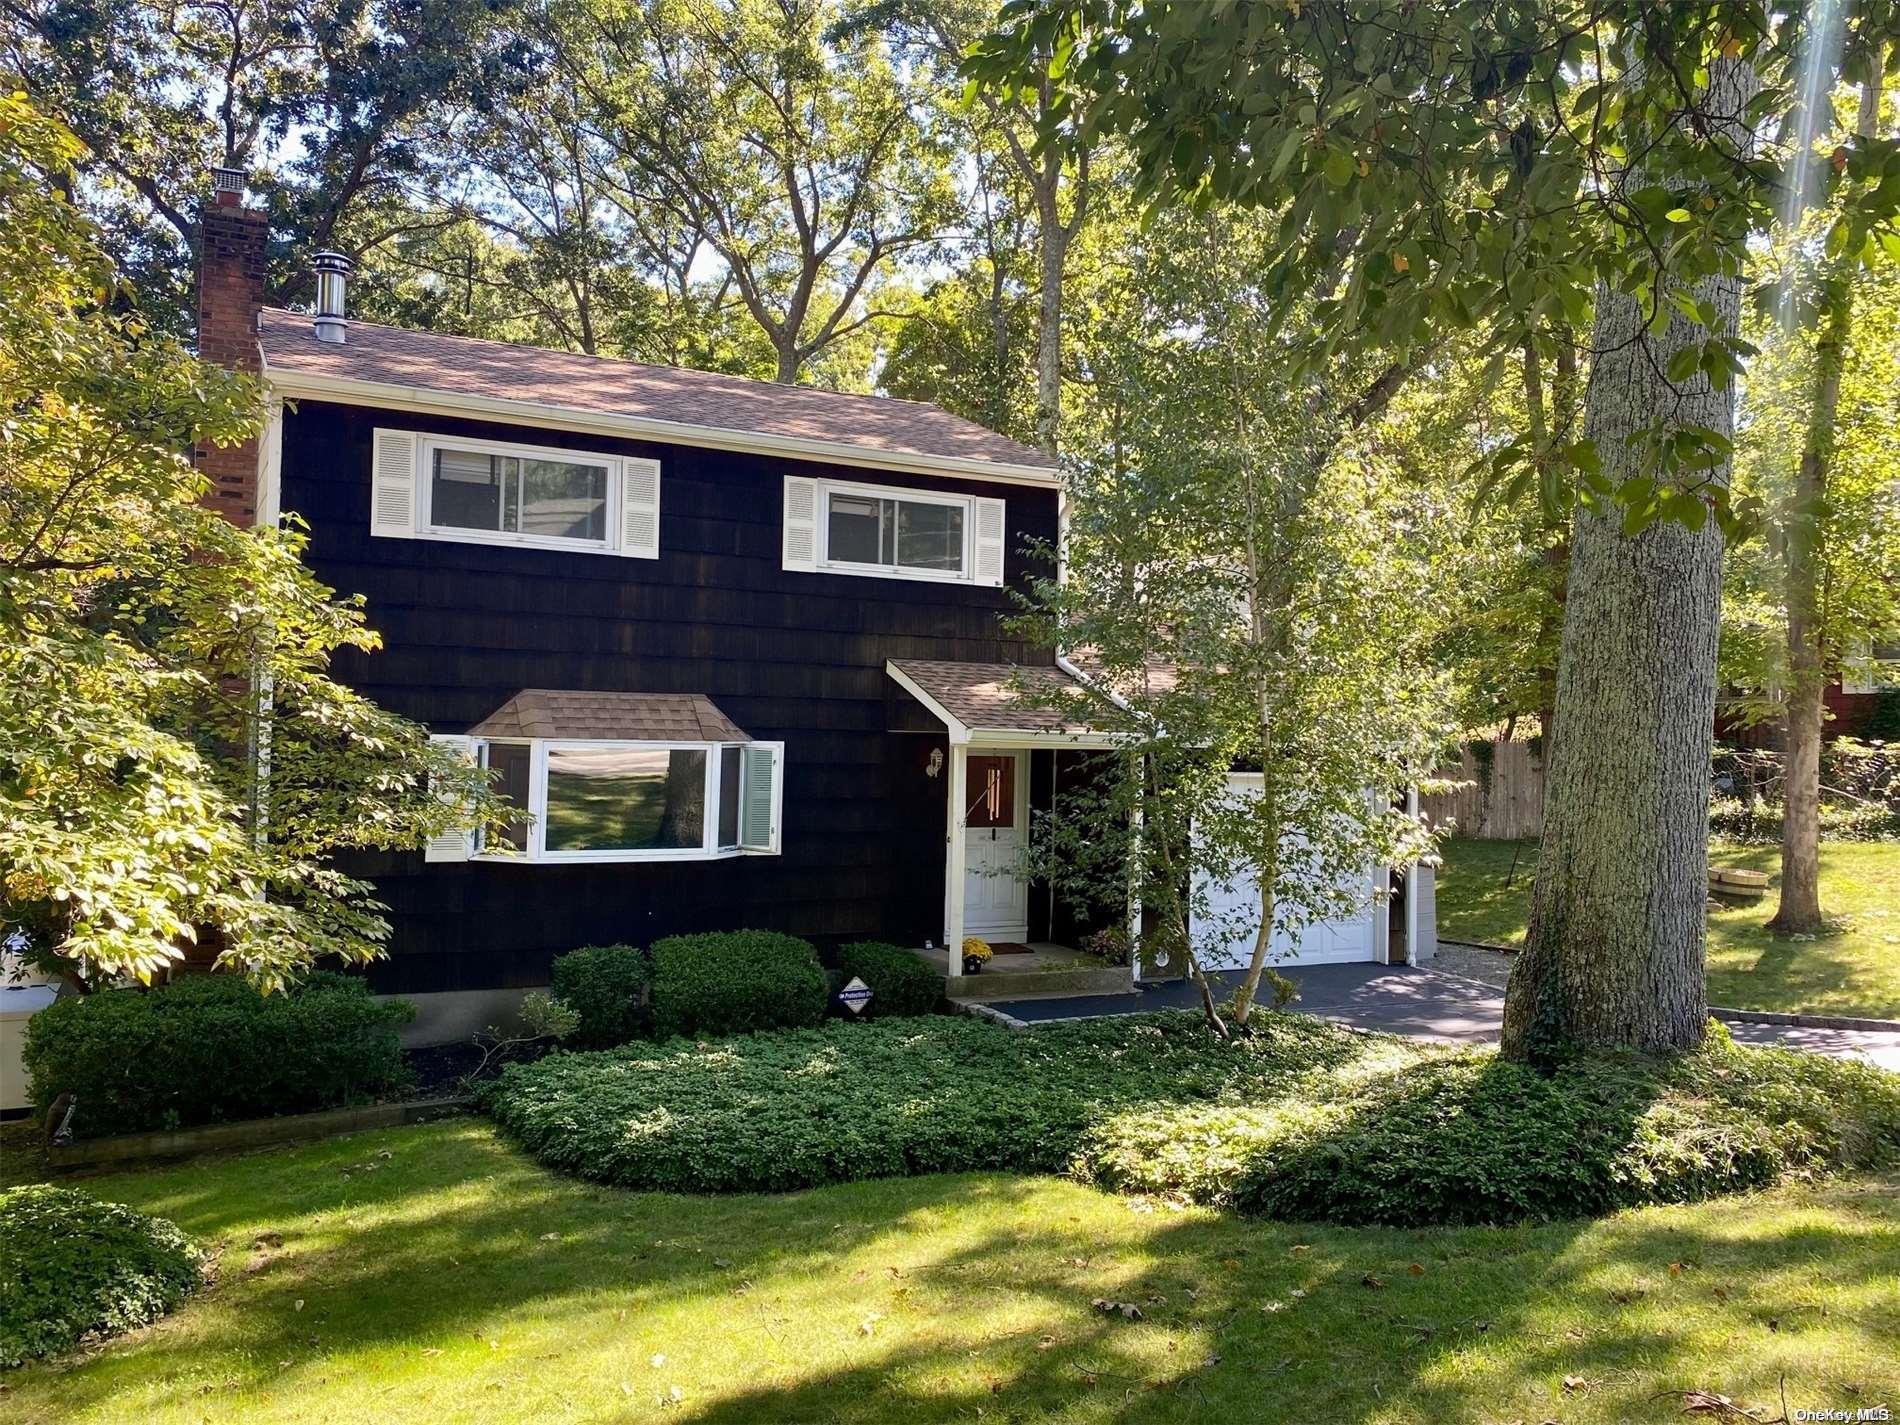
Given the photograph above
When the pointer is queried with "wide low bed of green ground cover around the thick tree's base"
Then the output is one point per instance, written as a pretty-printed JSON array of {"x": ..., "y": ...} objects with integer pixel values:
[{"x": 1293, "y": 1118}]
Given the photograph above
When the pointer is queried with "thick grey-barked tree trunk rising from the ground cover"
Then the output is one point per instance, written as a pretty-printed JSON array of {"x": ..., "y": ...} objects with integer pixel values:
[{"x": 1616, "y": 951}]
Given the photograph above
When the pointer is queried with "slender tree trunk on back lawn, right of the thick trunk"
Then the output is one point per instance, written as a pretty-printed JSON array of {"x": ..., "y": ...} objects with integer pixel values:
[{"x": 1800, "y": 890}]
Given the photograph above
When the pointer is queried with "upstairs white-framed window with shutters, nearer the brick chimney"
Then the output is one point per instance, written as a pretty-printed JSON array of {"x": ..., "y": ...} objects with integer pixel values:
[{"x": 451, "y": 487}]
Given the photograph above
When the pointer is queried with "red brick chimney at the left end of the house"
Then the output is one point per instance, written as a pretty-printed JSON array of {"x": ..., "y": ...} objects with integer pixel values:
[{"x": 231, "y": 292}]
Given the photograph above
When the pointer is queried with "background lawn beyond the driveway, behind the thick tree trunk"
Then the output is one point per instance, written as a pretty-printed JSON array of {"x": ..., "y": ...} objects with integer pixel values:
[{"x": 1853, "y": 970}]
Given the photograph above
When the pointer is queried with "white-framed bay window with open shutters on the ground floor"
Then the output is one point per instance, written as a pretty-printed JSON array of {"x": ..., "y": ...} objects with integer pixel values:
[{"x": 626, "y": 801}]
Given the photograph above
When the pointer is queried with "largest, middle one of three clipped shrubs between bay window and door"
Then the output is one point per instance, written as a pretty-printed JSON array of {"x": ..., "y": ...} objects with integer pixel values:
[{"x": 736, "y": 981}]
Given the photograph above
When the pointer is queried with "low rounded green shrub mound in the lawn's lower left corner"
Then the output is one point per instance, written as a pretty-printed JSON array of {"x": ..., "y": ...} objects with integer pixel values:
[{"x": 73, "y": 1266}]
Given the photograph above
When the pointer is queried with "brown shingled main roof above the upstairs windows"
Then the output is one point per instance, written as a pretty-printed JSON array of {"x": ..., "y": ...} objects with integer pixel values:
[{"x": 565, "y": 381}]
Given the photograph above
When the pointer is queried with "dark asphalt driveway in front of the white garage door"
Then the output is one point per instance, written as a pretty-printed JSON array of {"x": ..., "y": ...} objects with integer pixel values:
[{"x": 1426, "y": 1004}]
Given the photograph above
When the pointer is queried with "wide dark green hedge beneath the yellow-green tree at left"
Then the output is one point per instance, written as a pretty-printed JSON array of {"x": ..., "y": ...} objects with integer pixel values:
[{"x": 210, "y": 1048}]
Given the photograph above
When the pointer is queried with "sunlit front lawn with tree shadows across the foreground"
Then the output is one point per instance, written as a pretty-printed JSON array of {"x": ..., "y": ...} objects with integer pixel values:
[{"x": 432, "y": 1276}]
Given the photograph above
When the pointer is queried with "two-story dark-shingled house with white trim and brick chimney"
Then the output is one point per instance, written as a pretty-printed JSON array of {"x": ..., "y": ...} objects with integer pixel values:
[{"x": 736, "y": 649}]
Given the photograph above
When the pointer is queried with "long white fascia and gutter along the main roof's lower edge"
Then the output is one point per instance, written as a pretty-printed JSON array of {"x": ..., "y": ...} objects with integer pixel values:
[{"x": 432, "y": 402}]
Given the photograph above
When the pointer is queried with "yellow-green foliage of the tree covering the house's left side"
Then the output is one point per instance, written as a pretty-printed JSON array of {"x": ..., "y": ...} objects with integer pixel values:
[{"x": 134, "y": 624}]
